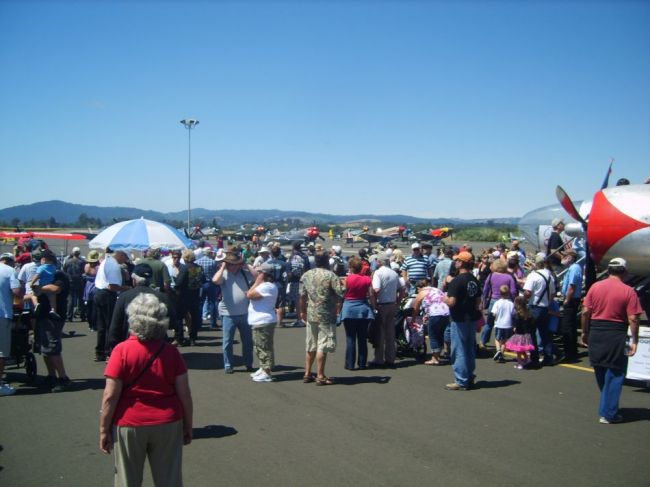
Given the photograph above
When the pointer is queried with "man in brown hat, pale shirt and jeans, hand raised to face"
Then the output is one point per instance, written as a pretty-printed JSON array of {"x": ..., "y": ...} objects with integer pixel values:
[{"x": 235, "y": 279}]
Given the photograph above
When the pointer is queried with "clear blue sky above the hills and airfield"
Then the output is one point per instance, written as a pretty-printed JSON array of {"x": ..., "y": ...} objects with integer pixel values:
[{"x": 427, "y": 108}]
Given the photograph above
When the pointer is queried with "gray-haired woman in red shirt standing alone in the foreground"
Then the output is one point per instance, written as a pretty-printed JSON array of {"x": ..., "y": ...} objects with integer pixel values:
[{"x": 147, "y": 405}]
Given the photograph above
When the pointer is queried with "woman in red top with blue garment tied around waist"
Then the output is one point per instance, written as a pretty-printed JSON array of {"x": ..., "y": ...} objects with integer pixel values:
[{"x": 357, "y": 314}]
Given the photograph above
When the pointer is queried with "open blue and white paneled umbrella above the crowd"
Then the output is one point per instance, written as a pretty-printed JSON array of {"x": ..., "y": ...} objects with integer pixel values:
[{"x": 140, "y": 234}]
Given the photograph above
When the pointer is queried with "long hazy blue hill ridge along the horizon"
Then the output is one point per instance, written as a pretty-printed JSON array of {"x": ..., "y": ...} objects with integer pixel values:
[{"x": 68, "y": 213}]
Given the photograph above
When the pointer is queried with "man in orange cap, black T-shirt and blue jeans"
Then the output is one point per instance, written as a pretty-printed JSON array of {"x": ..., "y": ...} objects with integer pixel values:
[{"x": 463, "y": 299}]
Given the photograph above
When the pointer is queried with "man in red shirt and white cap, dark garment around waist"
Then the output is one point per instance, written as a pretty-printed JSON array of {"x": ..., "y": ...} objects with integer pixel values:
[{"x": 609, "y": 309}]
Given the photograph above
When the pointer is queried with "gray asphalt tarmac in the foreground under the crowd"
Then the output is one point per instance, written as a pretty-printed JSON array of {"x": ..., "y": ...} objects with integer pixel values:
[{"x": 388, "y": 427}]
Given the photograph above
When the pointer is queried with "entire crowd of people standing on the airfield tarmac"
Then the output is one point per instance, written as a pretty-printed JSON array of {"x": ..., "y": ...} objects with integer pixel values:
[{"x": 131, "y": 303}]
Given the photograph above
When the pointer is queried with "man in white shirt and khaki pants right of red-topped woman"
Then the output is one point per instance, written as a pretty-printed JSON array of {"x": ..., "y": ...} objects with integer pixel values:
[{"x": 388, "y": 291}]
